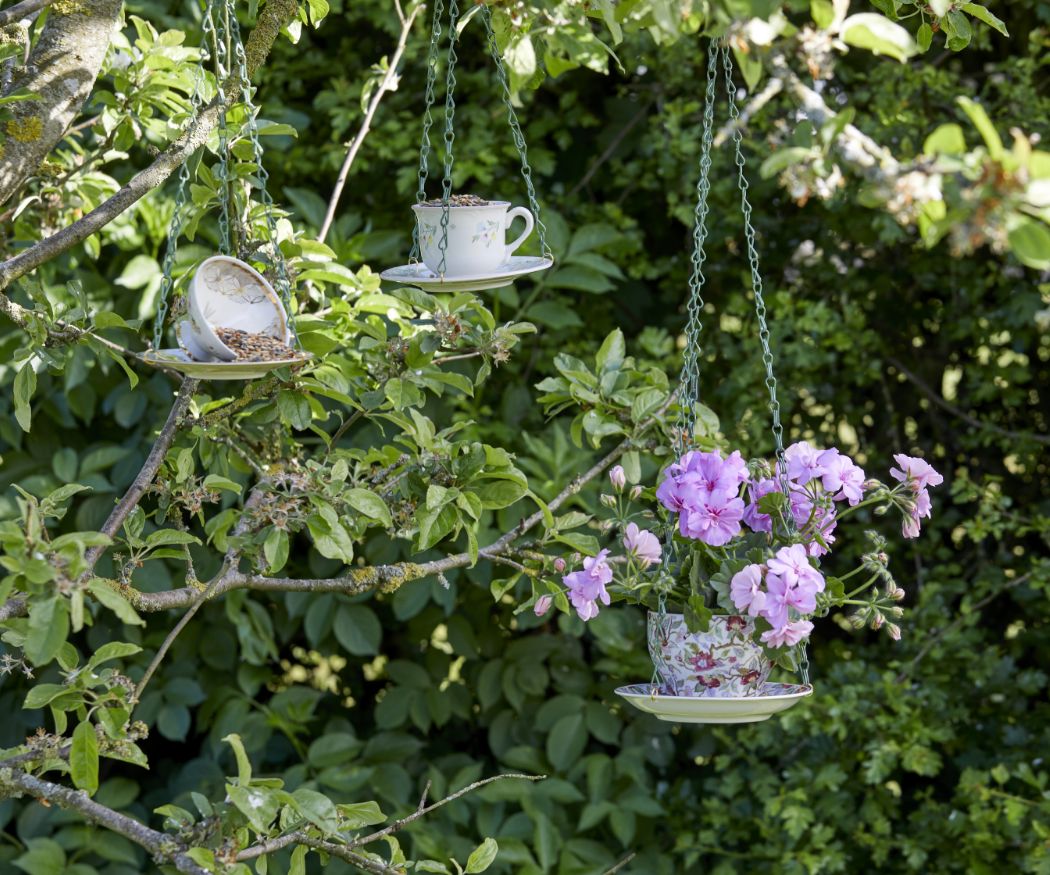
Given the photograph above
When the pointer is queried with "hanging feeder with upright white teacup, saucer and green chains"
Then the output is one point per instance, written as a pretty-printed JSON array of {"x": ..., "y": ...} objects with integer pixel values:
[{"x": 460, "y": 241}]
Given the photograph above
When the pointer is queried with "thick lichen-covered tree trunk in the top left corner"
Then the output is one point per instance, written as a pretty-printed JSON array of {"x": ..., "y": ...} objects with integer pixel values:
[{"x": 60, "y": 73}]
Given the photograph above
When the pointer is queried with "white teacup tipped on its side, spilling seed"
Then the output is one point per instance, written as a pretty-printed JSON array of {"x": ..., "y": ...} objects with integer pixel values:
[{"x": 226, "y": 293}]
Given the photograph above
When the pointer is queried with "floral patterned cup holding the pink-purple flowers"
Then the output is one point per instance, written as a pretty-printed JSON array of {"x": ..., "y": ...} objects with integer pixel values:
[{"x": 725, "y": 661}]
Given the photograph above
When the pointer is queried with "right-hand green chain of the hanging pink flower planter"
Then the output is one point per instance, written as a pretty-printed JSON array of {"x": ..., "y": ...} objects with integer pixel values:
[{"x": 764, "y": 329}]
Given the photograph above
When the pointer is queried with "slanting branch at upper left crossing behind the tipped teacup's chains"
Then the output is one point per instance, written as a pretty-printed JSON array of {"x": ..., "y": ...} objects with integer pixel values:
[{"x": 275, "y": 16}]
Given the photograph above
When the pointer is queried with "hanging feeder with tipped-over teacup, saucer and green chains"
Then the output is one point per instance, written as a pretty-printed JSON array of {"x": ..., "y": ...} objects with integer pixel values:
[{"x": 237, "y": 326}]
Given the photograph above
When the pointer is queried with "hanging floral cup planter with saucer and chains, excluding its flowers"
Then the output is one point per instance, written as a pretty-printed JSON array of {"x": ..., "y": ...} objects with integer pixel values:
[{"x": 720, "y": 676}]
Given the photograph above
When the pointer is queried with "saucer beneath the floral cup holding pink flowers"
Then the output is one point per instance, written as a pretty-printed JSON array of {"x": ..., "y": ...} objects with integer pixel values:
[{"x": 711, "y": 710}]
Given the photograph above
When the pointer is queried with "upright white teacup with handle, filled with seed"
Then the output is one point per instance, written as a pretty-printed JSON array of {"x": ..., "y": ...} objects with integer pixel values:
[{"x": 477, "y": 237}]
